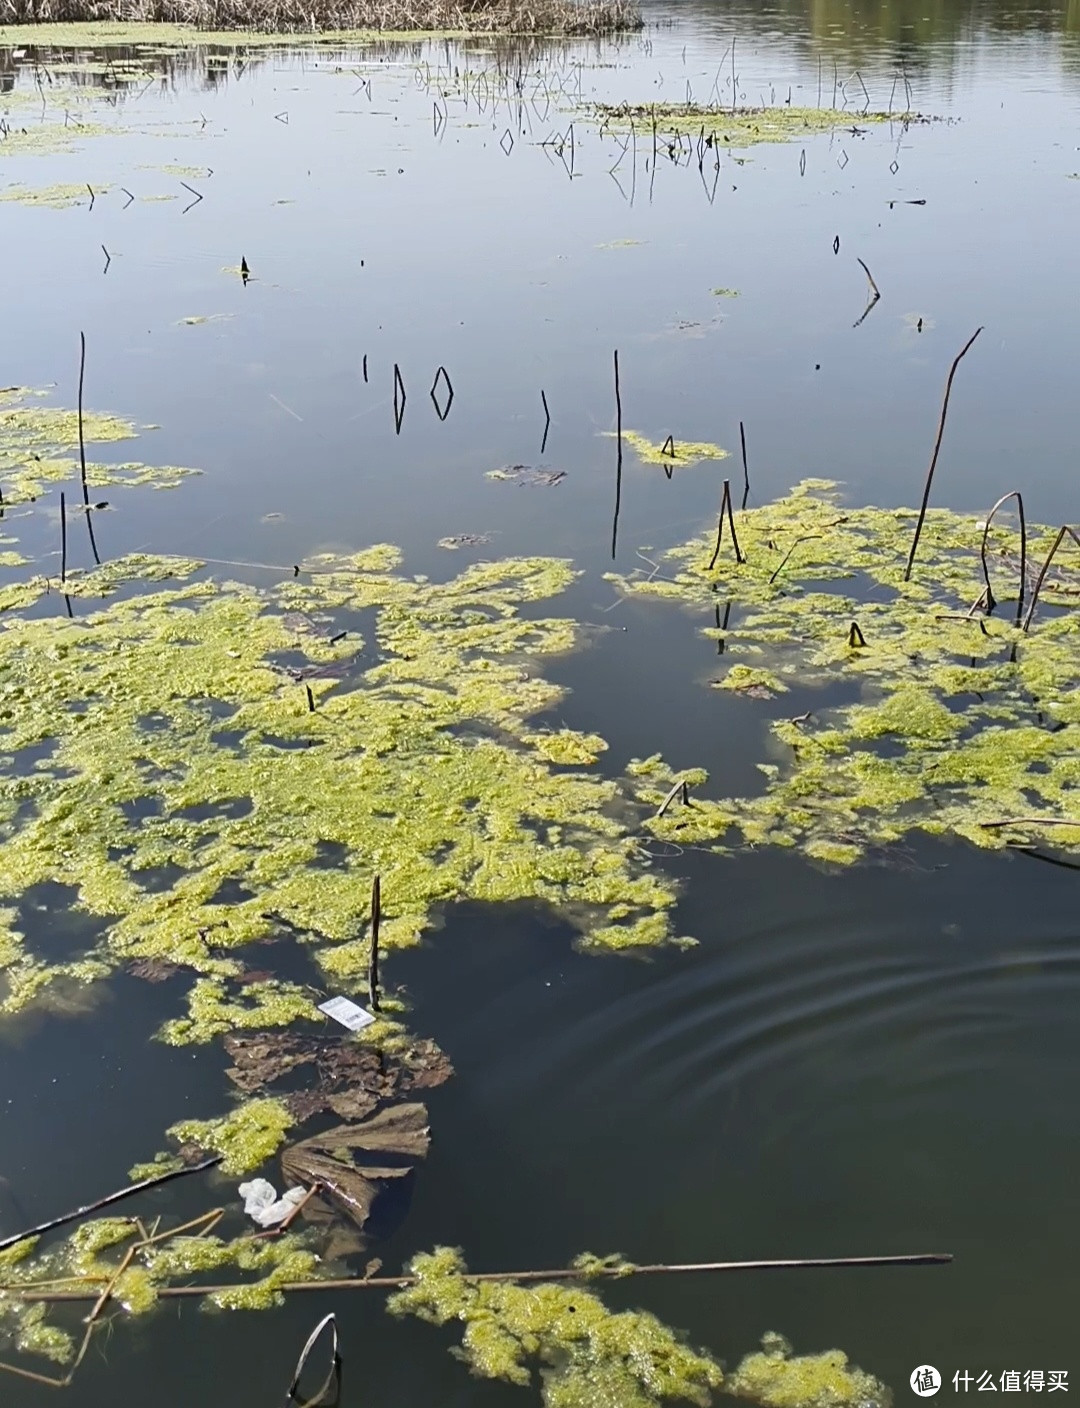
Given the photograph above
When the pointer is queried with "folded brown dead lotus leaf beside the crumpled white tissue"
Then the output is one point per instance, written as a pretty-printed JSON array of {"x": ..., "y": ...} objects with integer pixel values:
[{"x": 347, "y": 1159}]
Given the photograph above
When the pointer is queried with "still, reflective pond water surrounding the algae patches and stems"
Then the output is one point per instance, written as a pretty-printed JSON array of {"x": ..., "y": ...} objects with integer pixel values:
[{"x": 879, "y": 1060}]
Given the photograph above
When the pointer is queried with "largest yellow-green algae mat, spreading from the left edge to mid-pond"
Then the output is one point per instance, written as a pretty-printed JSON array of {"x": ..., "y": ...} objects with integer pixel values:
[{"x": 212, "y": 747}]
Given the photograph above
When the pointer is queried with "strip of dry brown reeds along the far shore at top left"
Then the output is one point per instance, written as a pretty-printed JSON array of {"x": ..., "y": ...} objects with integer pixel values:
[{"x": 339, "y": 18}]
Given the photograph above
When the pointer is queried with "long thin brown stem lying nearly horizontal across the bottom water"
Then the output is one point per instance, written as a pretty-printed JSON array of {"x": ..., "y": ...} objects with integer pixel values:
[{"x": 563, "y": 1274}]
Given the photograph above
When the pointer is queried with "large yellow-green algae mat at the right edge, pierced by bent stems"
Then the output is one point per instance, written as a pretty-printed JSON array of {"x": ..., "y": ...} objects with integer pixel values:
[{"x": 953, "y": 722}]
